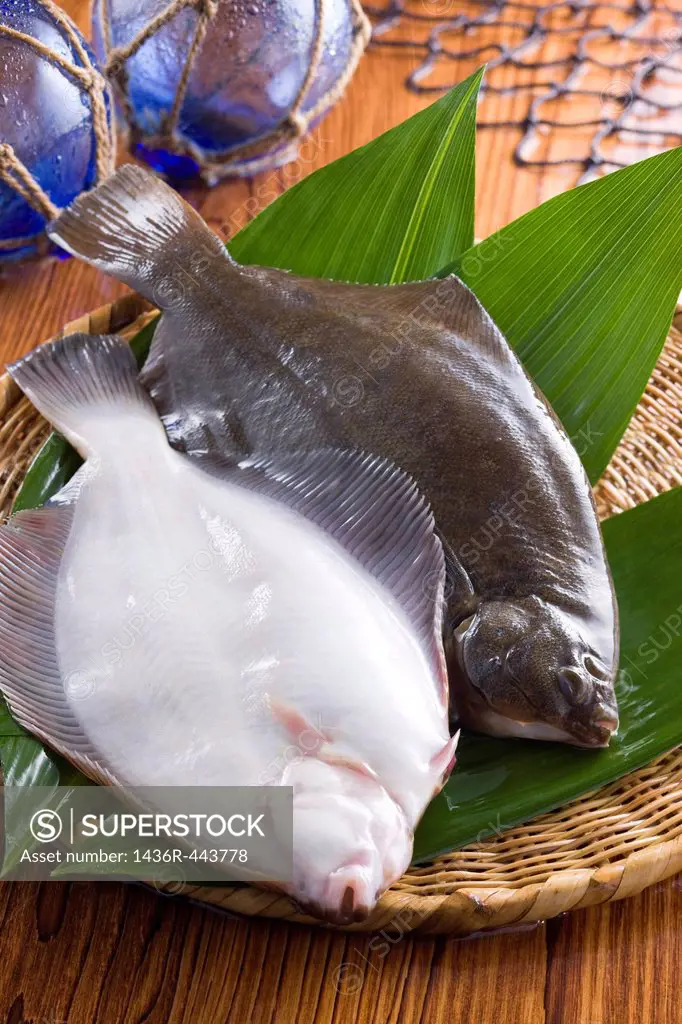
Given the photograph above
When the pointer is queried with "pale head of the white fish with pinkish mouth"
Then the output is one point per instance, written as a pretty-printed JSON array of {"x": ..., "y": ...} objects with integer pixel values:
[{"x": 352, "y": 840}]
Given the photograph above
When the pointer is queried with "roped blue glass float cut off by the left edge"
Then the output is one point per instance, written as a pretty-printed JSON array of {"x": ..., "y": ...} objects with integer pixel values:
[{"x": 56, "y": 123}]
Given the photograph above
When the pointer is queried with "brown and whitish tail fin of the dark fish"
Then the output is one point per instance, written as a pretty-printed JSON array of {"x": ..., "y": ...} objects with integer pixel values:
[{"x": 138, "y": 229}]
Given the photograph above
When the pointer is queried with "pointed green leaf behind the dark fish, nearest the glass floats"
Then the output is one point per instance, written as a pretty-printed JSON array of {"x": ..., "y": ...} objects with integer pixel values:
[{"x": 398, "y": 209}]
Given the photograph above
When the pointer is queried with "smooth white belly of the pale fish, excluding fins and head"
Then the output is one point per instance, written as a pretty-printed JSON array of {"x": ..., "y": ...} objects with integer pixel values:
[{"x": 159, "y": 550}]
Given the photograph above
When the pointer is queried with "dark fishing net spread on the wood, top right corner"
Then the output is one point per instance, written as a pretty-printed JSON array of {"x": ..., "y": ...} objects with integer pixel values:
[{"x": 590, "y": 86}]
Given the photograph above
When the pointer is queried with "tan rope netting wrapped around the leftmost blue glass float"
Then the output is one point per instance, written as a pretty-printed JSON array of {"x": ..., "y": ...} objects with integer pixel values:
[{"x": 13, "y": 172}]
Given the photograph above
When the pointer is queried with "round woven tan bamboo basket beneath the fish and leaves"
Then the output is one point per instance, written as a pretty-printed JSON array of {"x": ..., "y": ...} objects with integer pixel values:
[{"x": 604, "y": 847}]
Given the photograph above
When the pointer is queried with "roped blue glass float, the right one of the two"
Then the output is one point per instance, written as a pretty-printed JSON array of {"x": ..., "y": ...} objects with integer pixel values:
[{"x": 226, "y": 87}]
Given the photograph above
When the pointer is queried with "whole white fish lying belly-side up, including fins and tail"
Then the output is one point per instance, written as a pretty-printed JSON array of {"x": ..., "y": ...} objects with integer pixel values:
[{"x": 163, "y": 625}]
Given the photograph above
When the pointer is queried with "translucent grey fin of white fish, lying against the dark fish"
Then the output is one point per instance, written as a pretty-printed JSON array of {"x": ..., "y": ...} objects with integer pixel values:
[{"x": 376, "y": 514}]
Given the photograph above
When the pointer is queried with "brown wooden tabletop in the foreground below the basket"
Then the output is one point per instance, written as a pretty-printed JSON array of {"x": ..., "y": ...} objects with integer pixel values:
[{"x": 91, "y": 953}]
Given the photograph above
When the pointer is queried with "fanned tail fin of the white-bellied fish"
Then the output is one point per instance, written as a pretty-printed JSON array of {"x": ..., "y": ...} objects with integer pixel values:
[{"x": 76, "y": 381}]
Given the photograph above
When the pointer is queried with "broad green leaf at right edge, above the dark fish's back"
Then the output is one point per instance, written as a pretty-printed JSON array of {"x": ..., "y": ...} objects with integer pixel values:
[{"x": 585, "y": 288}]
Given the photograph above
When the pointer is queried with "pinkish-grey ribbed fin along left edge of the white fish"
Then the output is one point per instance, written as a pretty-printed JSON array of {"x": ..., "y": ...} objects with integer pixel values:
[{"x": 31, "y": 548}]
